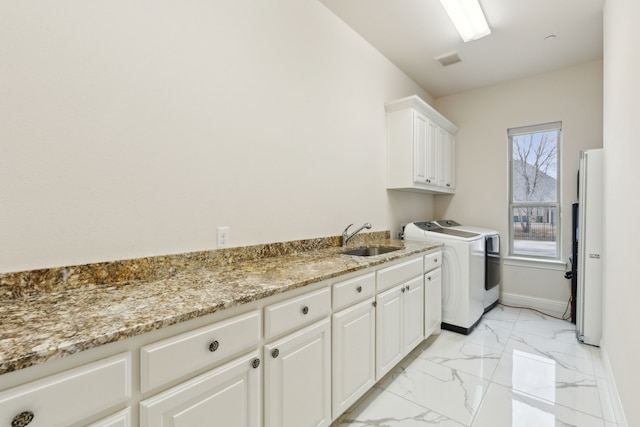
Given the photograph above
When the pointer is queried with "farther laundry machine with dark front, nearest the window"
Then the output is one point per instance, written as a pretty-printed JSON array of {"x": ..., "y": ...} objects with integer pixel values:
[{"x": 492, "y": 260}]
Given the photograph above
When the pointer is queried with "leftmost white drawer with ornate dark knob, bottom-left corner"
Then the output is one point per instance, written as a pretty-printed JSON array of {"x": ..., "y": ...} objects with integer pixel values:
[{"x": 69, "y": 397}]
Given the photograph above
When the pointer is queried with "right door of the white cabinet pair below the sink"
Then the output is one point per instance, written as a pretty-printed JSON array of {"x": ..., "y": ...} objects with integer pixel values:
[{"x": 413, "y": 313}]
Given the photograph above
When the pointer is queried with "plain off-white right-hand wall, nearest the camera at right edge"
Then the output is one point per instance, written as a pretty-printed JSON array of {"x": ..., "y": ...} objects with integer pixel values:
[{"x": 621, "y": 252}]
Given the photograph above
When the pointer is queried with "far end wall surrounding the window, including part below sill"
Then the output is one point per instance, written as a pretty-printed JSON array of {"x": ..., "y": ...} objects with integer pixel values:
[{"x": 573, "y": 96}]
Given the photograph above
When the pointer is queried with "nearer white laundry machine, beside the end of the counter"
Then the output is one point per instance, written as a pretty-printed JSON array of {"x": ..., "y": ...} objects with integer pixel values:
[{"x": 463, "y": 263}]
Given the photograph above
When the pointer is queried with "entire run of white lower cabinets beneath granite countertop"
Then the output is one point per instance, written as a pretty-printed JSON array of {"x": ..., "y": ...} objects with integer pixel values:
[{"x": 323, "y": 350}]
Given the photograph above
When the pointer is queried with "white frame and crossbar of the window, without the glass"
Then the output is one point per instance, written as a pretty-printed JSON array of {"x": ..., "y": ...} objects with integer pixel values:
[{"x": 525, "y": 130}]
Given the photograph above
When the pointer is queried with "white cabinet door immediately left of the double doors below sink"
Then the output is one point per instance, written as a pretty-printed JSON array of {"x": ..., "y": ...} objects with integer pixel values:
[{"x": 353, "y": 369}]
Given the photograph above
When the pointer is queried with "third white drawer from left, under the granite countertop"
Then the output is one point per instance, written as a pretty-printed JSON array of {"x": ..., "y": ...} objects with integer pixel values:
[{"x": 295, "y": 312}]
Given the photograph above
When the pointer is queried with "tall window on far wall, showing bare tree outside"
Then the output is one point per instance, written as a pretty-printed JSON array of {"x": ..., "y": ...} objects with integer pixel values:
[{"x": 534, "y": 191}]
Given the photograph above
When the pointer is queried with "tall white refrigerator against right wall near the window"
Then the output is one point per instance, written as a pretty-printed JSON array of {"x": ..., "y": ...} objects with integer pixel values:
[{"x": 589, "y": 289}]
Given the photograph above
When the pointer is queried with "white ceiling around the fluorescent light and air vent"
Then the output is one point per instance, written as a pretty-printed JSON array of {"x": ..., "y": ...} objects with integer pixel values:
[{"x": 411, "y": 33}]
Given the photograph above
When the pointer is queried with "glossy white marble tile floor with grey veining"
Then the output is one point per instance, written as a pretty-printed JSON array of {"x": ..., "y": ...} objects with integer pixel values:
[{"x": 517, "y": 368}]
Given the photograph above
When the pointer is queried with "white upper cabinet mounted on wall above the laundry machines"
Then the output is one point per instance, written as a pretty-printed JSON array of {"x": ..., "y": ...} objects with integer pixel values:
[{"x": 421, "y": 148}]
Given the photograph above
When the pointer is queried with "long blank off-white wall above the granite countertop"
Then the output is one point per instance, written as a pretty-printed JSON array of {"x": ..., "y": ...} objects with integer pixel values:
[{"x": 134, "y": 128}]
